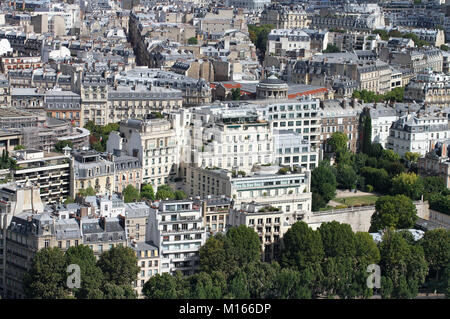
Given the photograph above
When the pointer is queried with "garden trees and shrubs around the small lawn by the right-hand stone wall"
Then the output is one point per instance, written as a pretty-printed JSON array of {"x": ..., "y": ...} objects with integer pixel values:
[{"x": 377, "y": 170}]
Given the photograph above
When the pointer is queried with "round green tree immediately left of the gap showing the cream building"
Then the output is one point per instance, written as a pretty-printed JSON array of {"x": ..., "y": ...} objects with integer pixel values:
[{"x": 243, "y": 244}]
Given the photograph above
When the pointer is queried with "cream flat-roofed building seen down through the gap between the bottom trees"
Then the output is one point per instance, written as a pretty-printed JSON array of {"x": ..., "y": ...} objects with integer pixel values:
[{"x": 270, "y": 223}]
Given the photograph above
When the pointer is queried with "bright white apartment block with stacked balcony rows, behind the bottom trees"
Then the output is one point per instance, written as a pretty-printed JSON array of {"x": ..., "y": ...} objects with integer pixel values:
[{"x": 177, "y": 228}]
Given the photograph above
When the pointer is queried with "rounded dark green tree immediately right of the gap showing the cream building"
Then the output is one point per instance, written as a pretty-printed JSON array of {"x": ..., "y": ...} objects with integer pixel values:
[{"x": 302, "y": 247}]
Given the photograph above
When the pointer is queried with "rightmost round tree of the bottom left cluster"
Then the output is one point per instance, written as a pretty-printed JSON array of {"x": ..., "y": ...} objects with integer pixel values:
[{"x": 119, "y": 265}]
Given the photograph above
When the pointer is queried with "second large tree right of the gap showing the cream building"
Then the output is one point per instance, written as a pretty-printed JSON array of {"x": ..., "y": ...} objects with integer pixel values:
[{"x": 338, "y": 239}]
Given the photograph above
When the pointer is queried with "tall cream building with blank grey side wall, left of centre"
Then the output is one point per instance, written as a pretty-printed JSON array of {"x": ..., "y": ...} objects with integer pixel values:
[{"x": 153, "y": 142}]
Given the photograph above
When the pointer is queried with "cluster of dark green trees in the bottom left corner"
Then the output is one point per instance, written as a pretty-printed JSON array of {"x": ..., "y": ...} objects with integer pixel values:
[{"x": 110, "y": 277}]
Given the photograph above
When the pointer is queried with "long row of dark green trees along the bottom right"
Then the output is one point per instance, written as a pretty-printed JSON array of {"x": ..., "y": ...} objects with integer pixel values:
[{"x": 328, "y": 262}]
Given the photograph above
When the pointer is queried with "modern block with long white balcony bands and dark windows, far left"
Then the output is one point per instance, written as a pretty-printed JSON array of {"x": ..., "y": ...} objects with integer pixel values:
[{"x": 51, "y": 172}]
